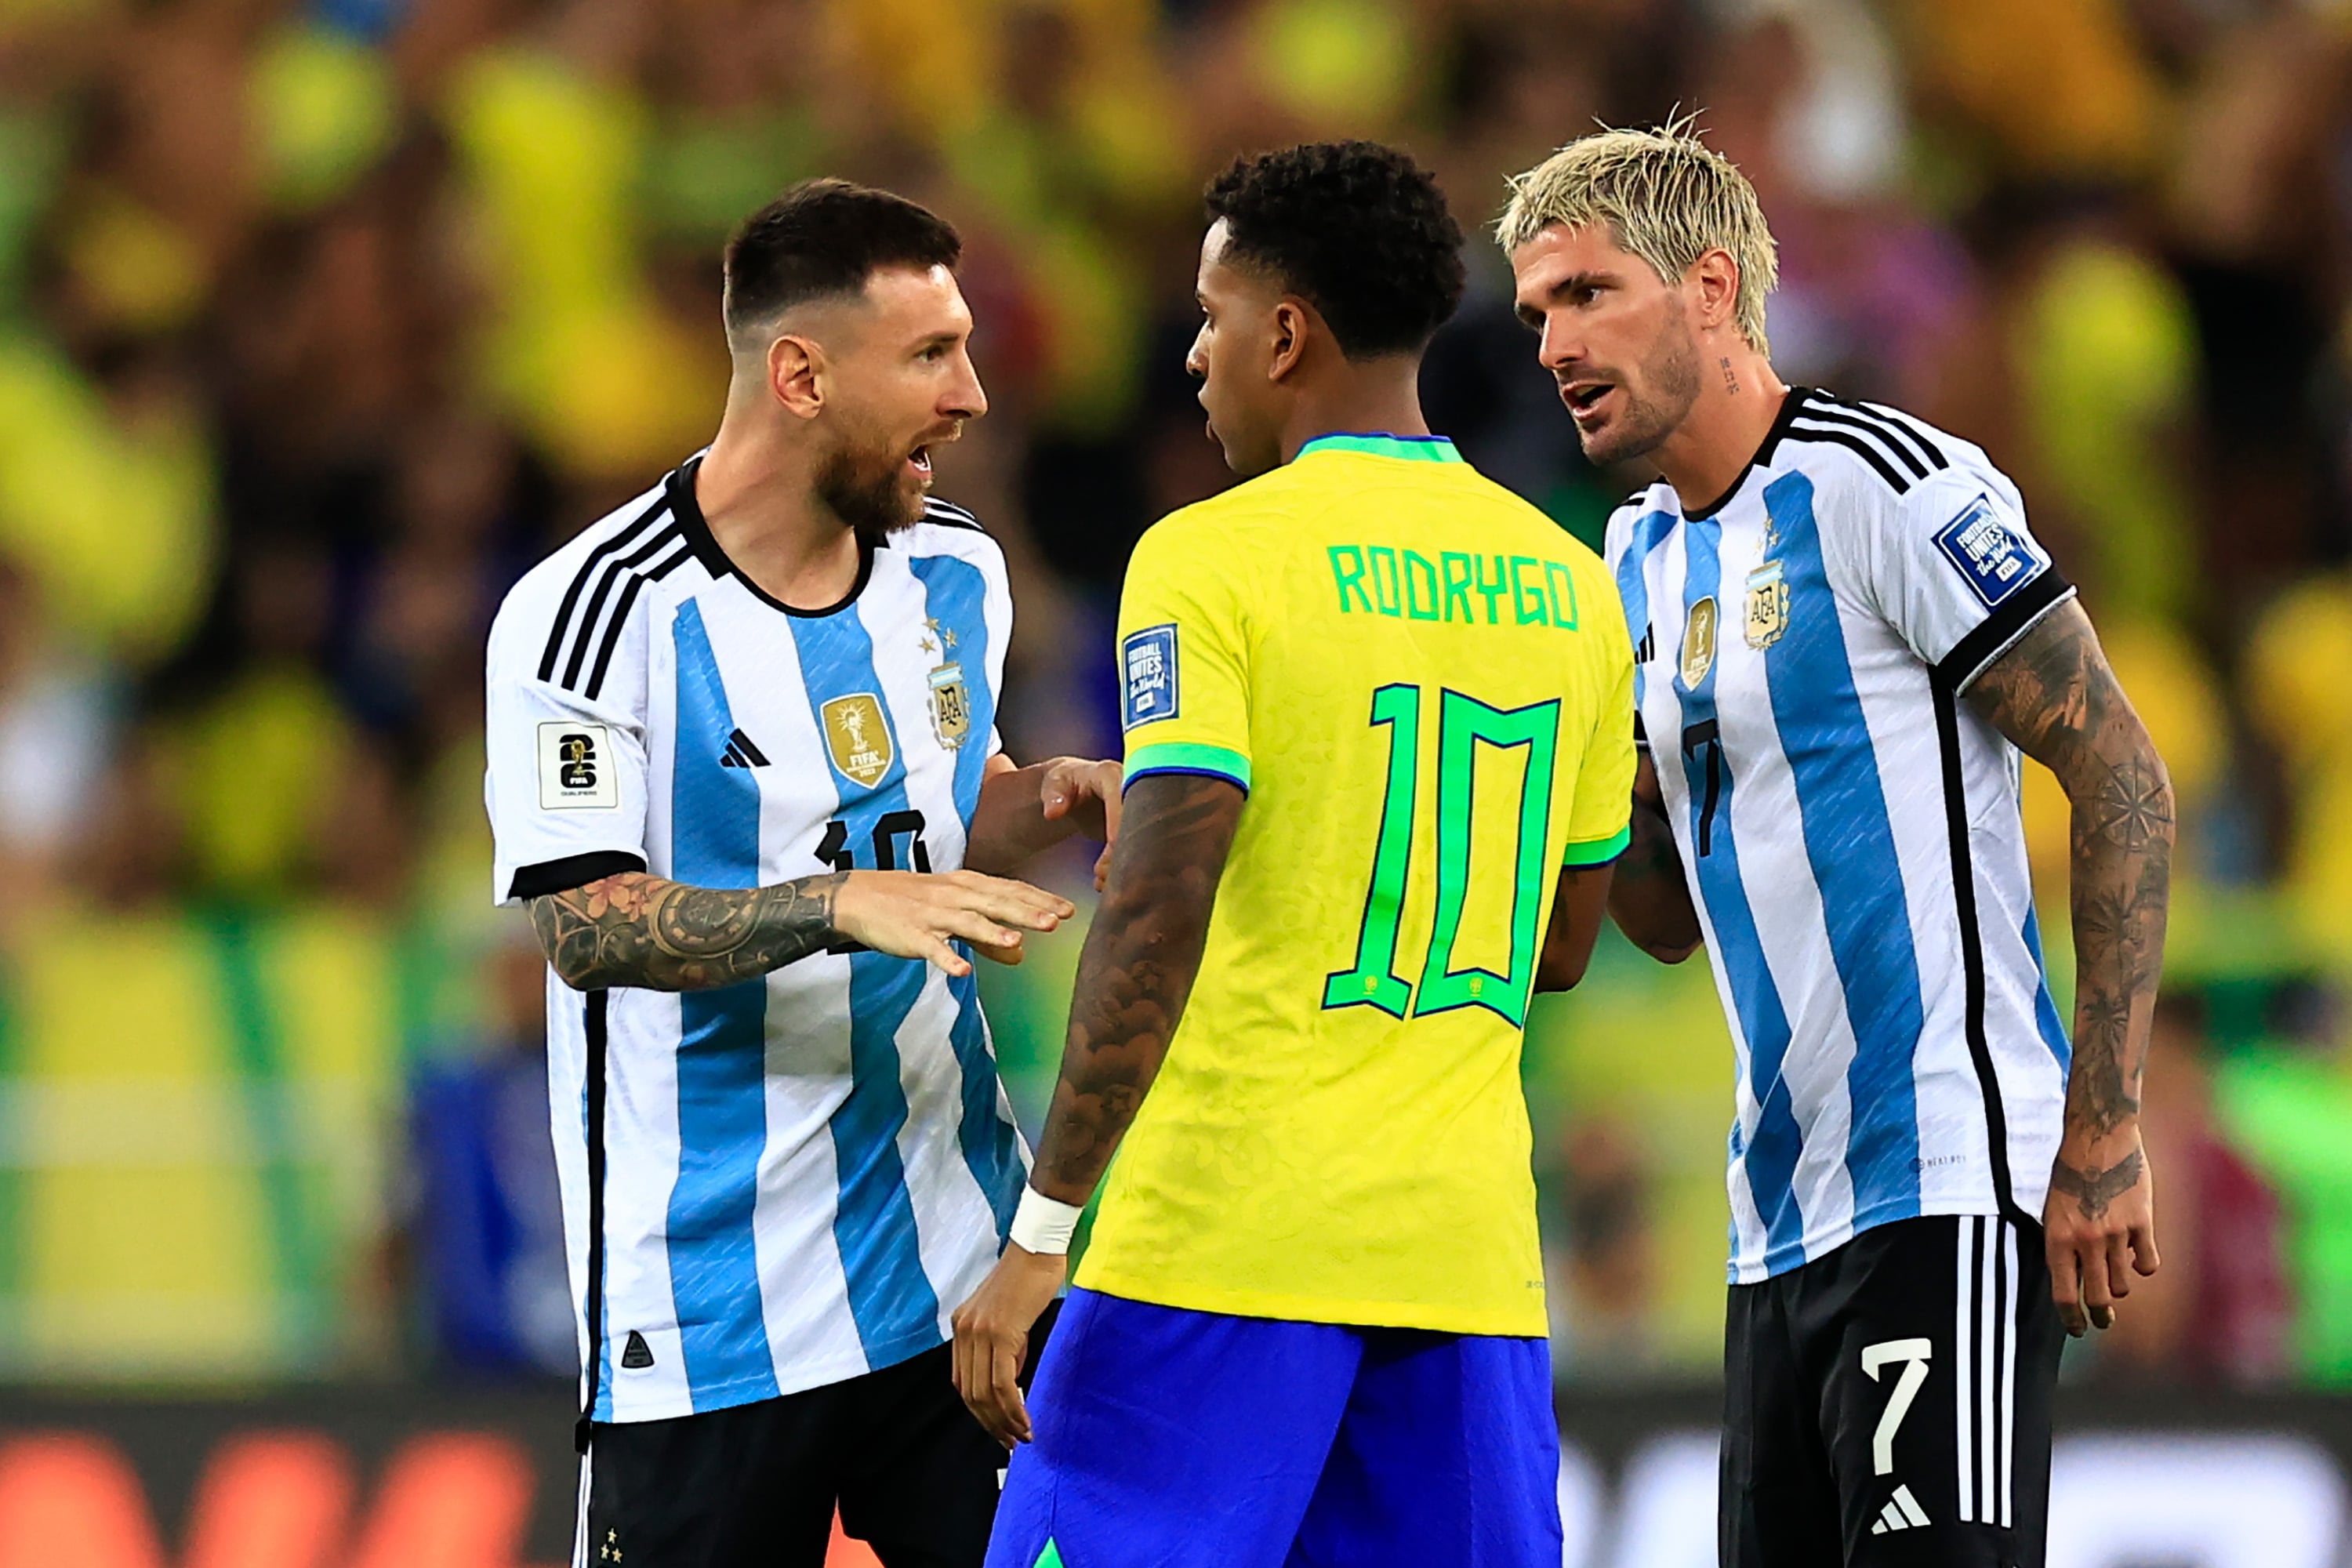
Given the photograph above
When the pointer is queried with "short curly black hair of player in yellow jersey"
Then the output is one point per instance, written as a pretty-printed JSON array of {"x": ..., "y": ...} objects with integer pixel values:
[{"x": 1356, "y": 229}]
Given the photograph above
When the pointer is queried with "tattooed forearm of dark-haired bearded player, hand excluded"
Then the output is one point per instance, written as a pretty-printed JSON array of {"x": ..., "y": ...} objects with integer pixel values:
[{"x": 660, "y": 934}]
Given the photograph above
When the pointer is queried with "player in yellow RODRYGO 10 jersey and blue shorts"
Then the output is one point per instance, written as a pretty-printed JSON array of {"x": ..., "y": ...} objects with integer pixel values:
[{"x": 1379, "y": 728}]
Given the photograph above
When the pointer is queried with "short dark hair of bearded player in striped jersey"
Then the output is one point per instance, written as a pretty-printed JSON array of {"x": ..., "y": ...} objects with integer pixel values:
[{"x": 822, "y": 239}]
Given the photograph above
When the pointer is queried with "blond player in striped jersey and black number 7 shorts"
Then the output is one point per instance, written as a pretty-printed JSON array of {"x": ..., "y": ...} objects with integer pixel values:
[{"x": 1845, "y": 638}]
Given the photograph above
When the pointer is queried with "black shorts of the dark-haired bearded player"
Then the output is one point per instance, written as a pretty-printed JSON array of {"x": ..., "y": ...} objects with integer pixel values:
[{"x": 897, "y": 1452}]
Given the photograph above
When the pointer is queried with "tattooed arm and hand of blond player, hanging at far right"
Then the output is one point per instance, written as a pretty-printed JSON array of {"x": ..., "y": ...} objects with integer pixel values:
[{"x": 2057, "y": 699}]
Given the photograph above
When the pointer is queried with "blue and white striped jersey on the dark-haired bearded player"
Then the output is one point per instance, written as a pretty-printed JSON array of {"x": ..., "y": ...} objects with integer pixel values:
[{"x": 791, "y": 1181}]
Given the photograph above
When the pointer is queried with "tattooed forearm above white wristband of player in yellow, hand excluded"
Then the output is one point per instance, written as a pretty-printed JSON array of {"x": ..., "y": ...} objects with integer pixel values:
[{"x": 1137, "y": 972}]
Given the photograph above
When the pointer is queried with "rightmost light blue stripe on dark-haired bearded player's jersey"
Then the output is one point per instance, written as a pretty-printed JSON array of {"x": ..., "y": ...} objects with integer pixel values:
[{"x": 958, "y": 601}]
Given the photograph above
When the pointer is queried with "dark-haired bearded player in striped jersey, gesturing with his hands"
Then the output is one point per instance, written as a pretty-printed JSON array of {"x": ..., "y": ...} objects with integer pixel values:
[{"x": 744, "y": 775}]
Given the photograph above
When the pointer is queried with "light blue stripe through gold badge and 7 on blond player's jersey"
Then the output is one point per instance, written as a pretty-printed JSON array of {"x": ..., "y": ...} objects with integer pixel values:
[{"x": 1772, "y": 1153}]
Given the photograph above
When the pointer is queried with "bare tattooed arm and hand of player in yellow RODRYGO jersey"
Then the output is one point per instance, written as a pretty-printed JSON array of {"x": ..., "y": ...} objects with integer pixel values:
[{"x": 1132, "y": 984}]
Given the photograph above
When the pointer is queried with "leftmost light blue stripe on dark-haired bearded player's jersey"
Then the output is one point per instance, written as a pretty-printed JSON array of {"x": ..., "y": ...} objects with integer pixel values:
[{"x": 721, "y": 1059}]
